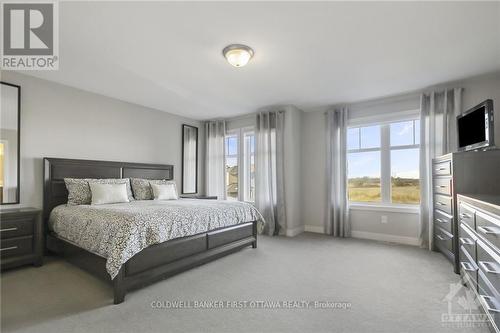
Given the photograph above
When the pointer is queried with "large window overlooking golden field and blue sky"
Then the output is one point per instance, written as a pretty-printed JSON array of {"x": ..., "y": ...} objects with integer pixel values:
[{"x": 383, "y": 163}]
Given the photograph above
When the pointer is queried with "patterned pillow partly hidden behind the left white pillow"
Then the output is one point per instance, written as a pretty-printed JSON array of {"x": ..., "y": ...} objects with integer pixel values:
[{"x": 79, "y": 190}]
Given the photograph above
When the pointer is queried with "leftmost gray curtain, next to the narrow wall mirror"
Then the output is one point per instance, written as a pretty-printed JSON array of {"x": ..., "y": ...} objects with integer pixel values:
[{"x": 215, "y": 177}]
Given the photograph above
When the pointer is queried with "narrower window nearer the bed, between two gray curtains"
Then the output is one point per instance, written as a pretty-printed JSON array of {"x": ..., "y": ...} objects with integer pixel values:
[{"x": 240, "y": 164}]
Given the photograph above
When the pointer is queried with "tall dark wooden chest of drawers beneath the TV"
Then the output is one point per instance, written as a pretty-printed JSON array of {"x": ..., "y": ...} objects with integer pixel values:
[{"x": 462, "y": 172}]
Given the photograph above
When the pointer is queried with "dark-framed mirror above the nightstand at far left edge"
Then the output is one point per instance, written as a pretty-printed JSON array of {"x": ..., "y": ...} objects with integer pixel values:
[{"x": 10, "y": 110}]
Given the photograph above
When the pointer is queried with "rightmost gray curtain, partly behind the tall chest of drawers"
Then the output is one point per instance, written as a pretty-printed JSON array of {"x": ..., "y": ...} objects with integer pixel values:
[{"x": 438, "y": 136}]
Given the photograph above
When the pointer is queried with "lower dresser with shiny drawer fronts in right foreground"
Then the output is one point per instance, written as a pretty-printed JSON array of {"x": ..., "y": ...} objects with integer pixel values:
[{"x": 479, "y": 251}]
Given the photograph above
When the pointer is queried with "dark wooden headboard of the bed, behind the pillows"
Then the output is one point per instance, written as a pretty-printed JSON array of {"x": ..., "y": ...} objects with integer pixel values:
[{"x": 56, "y": 169}]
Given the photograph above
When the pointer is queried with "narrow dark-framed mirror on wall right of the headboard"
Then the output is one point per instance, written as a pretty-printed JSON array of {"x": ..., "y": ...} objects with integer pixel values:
[{"x": 189, "y": 159}]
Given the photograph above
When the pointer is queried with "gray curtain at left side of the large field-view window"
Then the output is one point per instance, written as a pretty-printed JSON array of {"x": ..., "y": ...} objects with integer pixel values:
[{"x": 337, "y": 214}]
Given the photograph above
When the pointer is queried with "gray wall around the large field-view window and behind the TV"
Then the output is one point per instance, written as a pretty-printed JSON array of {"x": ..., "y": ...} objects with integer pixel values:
[{"x": 400, "y": 226}]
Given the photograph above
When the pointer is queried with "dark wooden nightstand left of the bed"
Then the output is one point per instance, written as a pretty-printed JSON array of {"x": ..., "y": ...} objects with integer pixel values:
[{"x": 21, "y": 233}]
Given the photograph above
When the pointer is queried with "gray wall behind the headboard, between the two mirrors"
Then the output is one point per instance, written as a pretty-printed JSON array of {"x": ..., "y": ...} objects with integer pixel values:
[{"x": 60, "y": 121}]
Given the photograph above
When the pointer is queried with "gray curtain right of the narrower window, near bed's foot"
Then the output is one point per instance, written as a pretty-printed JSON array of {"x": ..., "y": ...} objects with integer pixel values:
[{"x": 269, "y": 170}]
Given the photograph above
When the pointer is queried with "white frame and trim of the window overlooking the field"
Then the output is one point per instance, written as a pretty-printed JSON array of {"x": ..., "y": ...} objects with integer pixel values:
[{"x": 385, "y": 150}]
